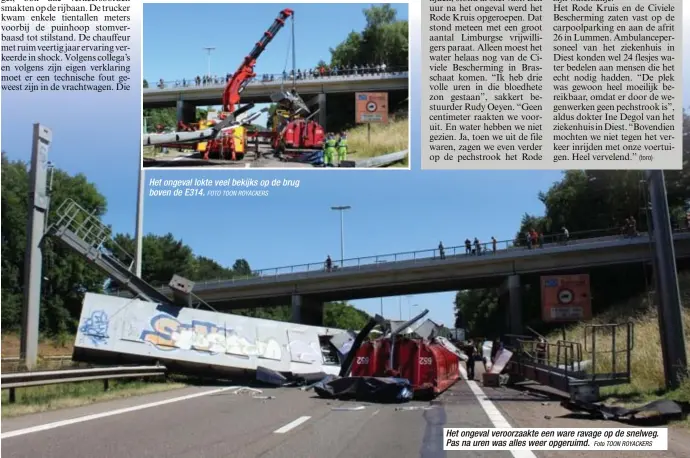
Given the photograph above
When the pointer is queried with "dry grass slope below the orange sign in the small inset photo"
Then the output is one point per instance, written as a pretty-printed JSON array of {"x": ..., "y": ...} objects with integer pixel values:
[{"x": 385, "y": 138}]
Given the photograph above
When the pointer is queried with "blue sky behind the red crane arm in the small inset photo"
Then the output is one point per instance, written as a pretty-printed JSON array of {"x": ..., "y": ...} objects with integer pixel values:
[{"x": 175, "y": 35}]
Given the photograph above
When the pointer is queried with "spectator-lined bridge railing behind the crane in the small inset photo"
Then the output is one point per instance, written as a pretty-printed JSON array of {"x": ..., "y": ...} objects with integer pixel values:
[{"x": 220, "y": 81}]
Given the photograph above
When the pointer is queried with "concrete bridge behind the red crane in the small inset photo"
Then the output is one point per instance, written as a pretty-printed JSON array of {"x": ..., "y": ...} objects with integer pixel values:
[{"x": 186, "y": 96}]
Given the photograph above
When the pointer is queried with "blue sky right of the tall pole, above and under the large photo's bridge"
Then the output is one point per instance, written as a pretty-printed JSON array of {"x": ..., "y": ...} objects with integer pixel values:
[{"x": 391, "y": 212}]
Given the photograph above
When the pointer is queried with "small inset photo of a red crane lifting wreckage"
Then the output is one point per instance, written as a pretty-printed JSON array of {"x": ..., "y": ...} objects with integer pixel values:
[{"x": 276, "y": 86}]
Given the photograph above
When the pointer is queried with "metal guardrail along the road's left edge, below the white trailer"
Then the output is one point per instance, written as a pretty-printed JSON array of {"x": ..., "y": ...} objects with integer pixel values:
[{"x": 42, "y": 378}]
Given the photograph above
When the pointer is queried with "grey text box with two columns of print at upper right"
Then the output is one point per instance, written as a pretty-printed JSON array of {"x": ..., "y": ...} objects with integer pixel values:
[{"x": 518, "y": 84}]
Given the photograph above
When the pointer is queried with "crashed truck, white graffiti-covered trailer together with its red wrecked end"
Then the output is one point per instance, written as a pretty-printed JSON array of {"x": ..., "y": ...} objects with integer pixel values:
[{"x": 118, "y": 330}]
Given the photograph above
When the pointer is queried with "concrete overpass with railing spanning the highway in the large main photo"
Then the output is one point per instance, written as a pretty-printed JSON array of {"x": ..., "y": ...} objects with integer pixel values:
[{"x": 306, "y": 287}]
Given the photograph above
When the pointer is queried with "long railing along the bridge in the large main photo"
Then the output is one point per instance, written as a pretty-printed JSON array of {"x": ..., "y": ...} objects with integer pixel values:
[{"x": 485, "y": 249}]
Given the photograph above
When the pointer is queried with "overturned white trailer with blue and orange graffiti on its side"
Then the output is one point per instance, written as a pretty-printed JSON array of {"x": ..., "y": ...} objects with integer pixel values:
[{"x": 188, "y": 340}]
